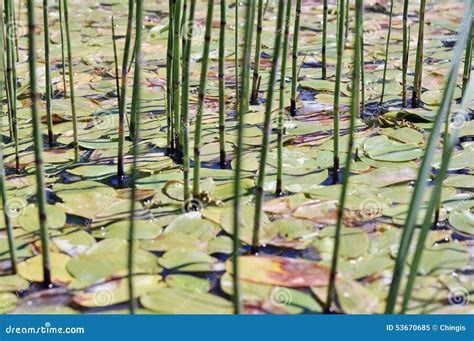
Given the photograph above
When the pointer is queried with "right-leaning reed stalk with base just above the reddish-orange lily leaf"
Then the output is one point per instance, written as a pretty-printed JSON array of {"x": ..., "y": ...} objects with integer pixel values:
[{"x": 267, "y": 128}]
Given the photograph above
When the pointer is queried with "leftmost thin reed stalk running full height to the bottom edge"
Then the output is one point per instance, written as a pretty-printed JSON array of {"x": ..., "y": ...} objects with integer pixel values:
[{"x": 135, "y": 109}]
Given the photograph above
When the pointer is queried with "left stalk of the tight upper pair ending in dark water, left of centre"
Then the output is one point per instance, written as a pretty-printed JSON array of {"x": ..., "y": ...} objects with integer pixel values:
[{"x": 169, "y": 78}]
